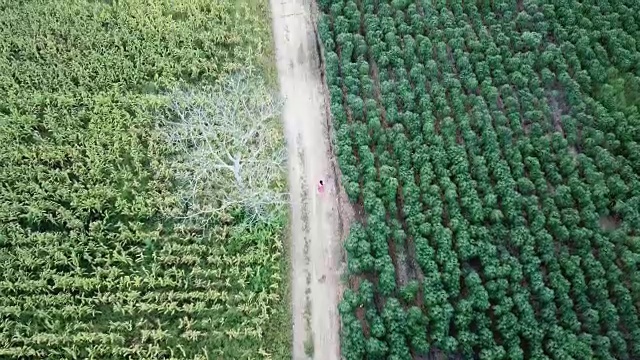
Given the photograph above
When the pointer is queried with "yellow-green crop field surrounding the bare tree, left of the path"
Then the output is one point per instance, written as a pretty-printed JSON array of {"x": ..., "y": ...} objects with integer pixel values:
[{"x": 99, "y": 256}]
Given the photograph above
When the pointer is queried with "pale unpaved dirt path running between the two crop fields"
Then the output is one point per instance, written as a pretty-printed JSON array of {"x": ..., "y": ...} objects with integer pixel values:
[{"x": 315, "y": 239}]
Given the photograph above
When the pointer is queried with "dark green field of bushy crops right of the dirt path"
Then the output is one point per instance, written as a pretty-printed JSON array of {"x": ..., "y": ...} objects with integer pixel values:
[{"x": 491, "y": 150}]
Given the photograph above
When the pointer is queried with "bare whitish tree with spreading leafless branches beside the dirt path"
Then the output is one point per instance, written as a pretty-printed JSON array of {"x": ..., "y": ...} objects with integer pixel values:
[{"x": 229, "y": 148}]
